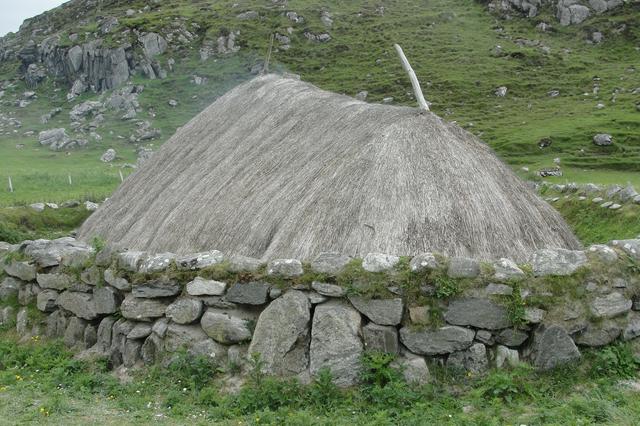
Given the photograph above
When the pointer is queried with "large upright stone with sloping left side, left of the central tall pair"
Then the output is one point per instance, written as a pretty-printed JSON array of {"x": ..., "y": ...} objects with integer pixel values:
[{"x": 281, "y": 336}]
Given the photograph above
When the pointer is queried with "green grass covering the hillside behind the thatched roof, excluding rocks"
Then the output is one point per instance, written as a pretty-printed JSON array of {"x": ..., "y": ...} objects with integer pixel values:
[{"x": 451, "y": 44}]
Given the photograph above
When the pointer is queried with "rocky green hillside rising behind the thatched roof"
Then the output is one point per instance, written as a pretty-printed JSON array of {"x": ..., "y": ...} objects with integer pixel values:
[{"x": 124, "y": 75}]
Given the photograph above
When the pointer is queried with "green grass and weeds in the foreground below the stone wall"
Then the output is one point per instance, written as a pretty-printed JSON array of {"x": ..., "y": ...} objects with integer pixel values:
[{"x": 40, "y": 382}]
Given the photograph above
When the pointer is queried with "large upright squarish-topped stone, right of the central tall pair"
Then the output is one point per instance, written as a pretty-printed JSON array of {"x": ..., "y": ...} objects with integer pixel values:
[{"x": 335, "y": 342}]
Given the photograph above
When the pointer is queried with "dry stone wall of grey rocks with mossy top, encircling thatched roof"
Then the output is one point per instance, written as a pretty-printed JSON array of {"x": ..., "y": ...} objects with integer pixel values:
[{"x": 137, "y": 308}]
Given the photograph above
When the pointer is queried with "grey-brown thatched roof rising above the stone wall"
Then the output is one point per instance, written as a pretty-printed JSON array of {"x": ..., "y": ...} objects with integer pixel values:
[{"x": 279, "y": 168}]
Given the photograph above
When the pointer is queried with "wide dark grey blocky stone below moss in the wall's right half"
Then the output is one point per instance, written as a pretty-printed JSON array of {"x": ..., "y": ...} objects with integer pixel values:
[{"x": 477, "y": 312}]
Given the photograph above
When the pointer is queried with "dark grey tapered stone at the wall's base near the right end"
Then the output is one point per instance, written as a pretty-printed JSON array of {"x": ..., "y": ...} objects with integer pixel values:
[{"x": 552, "y": 347}]
